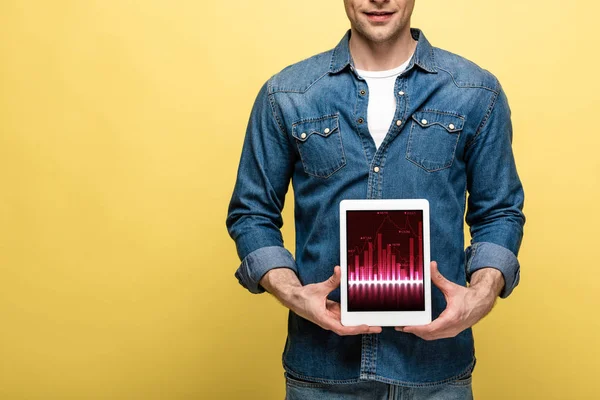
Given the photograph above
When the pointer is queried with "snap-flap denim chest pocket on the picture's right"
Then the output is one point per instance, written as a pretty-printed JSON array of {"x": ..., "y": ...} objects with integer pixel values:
[{"x": 433, "y": 138}]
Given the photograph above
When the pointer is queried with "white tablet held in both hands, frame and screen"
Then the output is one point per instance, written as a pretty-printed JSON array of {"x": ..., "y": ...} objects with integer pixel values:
[{"x": 384, "y": 256}]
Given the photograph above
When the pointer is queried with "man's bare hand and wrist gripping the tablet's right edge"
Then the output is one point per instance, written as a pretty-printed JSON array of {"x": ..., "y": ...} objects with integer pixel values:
[{"x": 465, "y": 305}]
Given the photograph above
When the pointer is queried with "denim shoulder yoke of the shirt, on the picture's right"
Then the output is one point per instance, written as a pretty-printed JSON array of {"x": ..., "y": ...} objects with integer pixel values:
[{"x": 464, "y": 72}]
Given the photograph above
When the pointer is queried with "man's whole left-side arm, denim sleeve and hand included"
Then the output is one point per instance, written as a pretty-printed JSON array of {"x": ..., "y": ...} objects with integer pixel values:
[{"x": 254, "y": 221}]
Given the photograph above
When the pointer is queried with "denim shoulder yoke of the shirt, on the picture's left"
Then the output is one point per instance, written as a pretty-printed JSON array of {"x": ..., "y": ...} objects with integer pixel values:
[{"x": 300, "y": 76}]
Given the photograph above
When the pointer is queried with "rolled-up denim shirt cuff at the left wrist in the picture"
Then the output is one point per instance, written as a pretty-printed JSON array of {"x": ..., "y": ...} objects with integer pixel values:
[{"x": 256, "y": 264}]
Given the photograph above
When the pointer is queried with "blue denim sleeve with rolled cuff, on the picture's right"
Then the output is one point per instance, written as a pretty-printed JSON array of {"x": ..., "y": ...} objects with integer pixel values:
[{"x": 496, "y": 197}]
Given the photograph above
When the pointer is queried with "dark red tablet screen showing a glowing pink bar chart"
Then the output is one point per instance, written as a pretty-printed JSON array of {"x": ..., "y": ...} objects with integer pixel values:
[{"x": 385, "y": 260}]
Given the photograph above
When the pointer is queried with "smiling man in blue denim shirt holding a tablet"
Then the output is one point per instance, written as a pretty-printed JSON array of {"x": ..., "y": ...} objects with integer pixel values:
[{"x": 382, "y": 115}]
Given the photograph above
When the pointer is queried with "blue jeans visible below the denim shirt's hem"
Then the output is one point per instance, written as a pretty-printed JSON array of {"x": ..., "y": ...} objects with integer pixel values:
[{"x": 297, "y": 389}]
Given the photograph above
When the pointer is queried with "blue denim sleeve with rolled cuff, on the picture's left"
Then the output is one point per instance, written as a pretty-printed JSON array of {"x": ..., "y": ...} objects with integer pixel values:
[{"x": 254, "y": 217}]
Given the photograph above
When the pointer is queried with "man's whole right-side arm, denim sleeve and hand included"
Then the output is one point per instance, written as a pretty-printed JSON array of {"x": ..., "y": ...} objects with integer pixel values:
[{"x": 496, "y": 223}]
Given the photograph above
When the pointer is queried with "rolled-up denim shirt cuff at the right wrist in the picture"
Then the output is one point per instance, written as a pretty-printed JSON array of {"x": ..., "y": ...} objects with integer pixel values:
[{"x": 486, "y": 254}]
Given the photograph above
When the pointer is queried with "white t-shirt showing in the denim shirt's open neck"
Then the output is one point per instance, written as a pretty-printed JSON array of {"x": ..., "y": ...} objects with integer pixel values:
[{"x": 382, "y": 100}]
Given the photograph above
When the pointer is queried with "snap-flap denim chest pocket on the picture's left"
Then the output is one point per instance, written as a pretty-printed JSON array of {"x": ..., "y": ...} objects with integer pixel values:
[{"x": 320, "y": 145}]
